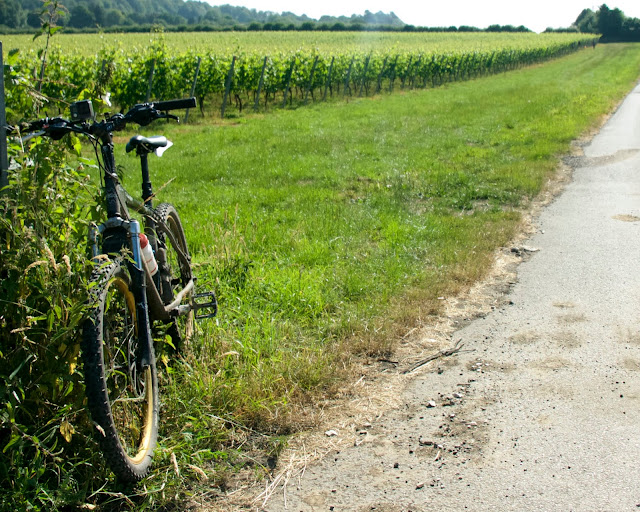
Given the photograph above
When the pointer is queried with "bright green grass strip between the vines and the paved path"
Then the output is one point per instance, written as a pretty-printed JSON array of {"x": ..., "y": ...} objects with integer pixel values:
[{"x": 327, "y": 229}]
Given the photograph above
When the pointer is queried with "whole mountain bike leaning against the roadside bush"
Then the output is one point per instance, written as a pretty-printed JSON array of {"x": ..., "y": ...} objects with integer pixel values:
[{"x": 142, "y": 284}]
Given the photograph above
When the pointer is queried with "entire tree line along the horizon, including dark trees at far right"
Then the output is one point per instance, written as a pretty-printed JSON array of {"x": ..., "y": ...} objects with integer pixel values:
[{"x": 196, "y": 15}]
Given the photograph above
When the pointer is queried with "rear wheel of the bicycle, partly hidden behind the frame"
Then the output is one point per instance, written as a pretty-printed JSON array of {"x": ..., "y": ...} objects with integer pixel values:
[{"x": 174, "y": 263}]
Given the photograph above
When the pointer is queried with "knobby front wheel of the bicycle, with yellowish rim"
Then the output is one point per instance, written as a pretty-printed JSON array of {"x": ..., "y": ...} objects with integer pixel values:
[{"x": 122, "y": 394}]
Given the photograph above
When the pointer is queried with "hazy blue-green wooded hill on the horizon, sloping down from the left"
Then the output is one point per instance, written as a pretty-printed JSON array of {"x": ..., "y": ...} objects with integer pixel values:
[{"x": 177, "y": 14}]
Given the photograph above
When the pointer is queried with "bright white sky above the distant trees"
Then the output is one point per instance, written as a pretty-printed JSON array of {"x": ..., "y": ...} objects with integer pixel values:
[{"x": 536, "y": 15}]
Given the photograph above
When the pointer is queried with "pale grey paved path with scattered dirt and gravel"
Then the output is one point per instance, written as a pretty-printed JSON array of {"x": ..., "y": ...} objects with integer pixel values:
[{"x": 544, "y": 414}]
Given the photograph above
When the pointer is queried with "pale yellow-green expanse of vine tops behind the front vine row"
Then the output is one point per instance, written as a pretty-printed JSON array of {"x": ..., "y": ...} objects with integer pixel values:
[{"x": 274, "y": 43}]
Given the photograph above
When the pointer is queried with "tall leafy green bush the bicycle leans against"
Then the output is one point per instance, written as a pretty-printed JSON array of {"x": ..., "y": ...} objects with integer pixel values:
[{"x": 46, "y": 448}]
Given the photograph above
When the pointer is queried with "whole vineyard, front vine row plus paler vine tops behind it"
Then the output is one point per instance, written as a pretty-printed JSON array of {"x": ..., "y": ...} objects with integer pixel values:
[{"x": 246, "y": 73}]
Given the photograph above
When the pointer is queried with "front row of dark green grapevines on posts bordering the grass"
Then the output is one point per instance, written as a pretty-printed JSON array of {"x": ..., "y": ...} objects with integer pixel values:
[{"x": 285, "y": 77}]
